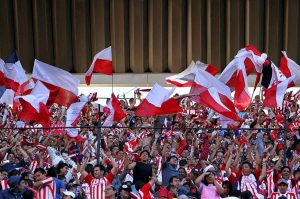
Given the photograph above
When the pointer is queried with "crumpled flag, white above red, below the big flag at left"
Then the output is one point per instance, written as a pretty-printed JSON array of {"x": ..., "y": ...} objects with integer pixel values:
[{"x": 34, "y": 105}]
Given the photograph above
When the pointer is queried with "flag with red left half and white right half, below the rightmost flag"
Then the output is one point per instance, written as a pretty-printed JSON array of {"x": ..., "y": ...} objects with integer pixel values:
[{"x": 274, "y": 95}]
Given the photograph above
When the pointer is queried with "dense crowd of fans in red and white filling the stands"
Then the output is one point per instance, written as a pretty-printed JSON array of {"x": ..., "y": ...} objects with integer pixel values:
[{"x": 190, "y": 157}]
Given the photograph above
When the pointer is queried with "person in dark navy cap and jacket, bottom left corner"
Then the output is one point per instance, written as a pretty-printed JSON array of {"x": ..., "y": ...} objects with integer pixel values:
[{"x": 16, "y": 189}]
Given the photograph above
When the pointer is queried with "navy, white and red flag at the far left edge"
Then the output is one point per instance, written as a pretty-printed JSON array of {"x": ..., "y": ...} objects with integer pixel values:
[{"x": 14, "y": 74}]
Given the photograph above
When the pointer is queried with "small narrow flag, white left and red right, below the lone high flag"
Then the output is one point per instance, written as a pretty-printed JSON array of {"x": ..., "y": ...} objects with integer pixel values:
[{"x": 116, "y": 113}]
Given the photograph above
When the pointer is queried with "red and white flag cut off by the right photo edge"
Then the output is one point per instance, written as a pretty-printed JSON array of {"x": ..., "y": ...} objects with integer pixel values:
[{"x": 289, "y": 68}]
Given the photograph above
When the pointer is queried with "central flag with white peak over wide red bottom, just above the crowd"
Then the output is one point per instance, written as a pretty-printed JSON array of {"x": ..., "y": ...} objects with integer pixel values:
[{"x": 158, "y": 102}]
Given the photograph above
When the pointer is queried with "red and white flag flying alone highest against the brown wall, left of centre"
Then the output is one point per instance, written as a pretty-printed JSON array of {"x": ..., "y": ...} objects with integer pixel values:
[{"x": 102, "y": 63}]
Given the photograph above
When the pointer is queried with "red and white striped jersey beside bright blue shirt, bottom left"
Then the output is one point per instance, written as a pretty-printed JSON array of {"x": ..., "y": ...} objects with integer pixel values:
[{"x": 48, "y": 190}]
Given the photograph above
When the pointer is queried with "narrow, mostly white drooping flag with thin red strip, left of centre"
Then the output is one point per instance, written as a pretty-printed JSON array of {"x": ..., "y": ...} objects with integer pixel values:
[{"x": 73, "y": 115}]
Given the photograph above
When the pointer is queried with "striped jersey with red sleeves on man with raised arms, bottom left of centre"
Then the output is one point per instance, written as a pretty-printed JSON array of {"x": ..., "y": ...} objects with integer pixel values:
[{"x": 97, "y": 186}]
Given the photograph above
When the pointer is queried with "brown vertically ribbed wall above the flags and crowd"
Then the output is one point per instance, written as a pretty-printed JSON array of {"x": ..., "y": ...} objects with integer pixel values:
[{"x": 147, "y": 36}]
